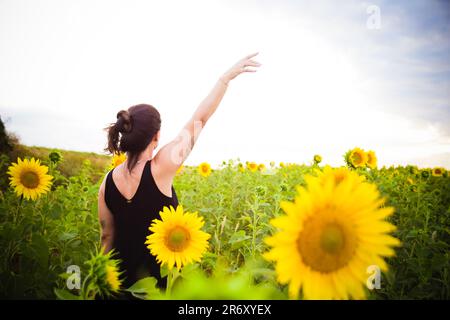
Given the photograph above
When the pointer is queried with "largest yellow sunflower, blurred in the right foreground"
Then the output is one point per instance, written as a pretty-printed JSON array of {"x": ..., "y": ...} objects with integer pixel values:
[{"x": 327, "y": 240}]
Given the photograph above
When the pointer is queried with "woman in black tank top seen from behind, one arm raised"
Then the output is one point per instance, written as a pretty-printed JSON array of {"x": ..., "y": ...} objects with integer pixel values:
[{"x": 133, "y": 193}]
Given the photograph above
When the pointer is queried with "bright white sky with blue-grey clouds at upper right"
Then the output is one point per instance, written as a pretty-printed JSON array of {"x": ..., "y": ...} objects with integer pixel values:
[{"x": 334, "y": 76}]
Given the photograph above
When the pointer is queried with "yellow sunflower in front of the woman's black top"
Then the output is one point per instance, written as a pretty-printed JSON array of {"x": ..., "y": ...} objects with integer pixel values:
[{"x": 176, "y": 239}]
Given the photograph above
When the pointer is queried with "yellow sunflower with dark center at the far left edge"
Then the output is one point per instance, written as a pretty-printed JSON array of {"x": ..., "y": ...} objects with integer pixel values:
[{"x": 29, "y": 178}]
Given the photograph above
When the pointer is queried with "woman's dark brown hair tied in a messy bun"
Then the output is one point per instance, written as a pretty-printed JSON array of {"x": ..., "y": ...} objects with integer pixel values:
[{"x": 133, "y": 131}]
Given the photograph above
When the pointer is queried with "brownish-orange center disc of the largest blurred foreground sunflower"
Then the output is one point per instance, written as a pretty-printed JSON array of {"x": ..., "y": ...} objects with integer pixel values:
[{"x": 325, "y": 246}]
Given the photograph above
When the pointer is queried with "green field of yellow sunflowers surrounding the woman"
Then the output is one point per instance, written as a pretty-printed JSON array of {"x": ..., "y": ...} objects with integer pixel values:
[{"x": 244, "y": 230}]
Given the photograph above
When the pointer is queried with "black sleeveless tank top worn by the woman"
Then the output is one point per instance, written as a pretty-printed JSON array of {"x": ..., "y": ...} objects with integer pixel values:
[{"x": 132, "y": 219}]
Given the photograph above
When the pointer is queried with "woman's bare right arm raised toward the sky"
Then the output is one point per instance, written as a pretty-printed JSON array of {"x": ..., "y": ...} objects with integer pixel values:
[{"x": 171, "y": 156}]
